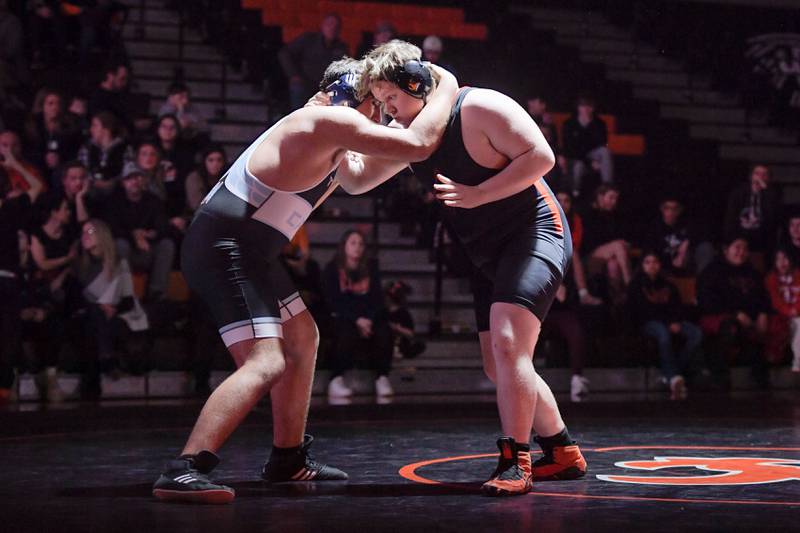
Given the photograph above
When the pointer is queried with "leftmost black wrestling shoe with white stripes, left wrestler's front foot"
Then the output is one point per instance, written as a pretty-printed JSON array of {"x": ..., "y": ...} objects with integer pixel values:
[{"x": 186, "y": 480}]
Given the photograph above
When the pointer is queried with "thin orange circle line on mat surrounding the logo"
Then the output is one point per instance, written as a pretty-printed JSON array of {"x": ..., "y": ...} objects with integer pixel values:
[{"x": 410, "y": 472}]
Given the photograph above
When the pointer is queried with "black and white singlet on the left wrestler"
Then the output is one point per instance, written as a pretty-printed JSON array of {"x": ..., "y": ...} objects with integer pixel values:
[{"x": 230, "y": 253}]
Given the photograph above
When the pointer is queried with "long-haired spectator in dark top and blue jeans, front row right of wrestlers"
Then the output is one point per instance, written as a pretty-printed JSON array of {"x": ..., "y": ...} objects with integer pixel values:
[{"x": 655, "y": 307}]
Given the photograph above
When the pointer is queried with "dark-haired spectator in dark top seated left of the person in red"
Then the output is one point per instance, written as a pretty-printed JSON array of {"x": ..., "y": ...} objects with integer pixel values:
[{"x": 734, "y": 307}]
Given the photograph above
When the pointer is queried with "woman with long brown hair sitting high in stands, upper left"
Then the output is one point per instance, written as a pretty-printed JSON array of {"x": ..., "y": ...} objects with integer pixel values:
[{"x": 51, "y": 137}]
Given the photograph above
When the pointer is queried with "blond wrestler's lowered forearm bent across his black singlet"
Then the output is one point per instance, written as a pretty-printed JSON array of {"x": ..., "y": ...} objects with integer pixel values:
[{"x": 520, "y": 174}]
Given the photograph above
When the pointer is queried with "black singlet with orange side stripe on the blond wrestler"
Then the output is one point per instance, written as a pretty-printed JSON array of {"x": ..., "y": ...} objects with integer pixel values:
[{"x": 520, "y": 246}]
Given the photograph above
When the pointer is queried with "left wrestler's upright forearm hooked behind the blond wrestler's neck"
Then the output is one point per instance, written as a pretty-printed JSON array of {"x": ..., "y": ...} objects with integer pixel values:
[{"x": 430, "y": 123}]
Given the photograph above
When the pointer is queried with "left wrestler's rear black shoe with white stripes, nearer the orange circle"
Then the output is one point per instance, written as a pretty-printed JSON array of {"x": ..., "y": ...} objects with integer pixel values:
[{"x": 296, "y": 464}]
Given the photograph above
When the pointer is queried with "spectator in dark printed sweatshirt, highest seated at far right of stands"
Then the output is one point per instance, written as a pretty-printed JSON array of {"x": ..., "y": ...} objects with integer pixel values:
[{"x": 754, "y": 211}]
